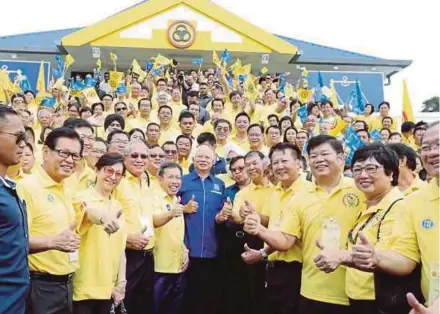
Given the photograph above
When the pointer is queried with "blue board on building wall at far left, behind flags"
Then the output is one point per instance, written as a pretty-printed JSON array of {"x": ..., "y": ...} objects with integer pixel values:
[{"x": 30, "y": 69}]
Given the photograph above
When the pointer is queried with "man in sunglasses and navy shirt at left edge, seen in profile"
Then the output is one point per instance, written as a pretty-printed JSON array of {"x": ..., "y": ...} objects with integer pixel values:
[{"x": 14, "y": 239}]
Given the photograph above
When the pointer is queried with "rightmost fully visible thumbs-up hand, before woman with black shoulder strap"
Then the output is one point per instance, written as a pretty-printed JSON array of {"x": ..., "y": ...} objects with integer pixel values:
[{"x": 365, "y": 255}]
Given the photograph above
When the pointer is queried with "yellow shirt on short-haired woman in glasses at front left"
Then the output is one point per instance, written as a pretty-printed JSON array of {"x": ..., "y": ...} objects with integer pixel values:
[{"x": 99, "y": 253}]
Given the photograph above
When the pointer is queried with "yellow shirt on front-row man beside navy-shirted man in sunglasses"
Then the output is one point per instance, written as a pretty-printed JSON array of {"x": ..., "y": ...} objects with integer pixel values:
[{"x": 50, "y": 212}]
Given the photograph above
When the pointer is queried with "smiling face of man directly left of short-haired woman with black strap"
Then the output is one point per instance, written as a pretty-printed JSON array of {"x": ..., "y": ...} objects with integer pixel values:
[{"x": 325, "y": 162}]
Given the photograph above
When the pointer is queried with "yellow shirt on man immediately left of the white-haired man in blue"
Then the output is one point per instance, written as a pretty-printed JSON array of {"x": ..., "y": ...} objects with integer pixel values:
[{"x": 169, "y": 249}]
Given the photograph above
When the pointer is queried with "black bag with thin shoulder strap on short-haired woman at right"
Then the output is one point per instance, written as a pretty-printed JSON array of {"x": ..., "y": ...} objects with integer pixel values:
[{"x": 391, "y": 290}]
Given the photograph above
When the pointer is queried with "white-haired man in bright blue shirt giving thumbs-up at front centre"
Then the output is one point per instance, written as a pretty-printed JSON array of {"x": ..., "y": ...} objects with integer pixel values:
[{"x": 203, "y": 195}]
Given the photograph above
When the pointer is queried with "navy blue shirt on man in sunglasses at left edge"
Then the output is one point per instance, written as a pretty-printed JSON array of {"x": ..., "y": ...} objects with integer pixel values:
[{"x": 14, "y": 250}]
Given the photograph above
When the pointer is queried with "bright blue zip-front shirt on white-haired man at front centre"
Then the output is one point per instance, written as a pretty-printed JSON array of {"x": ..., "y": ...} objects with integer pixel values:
[{"x": 200, "y": 227}]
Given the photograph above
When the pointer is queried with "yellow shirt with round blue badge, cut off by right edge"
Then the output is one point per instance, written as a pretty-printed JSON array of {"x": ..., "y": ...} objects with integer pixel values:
[{"x": 416, "y": 235}]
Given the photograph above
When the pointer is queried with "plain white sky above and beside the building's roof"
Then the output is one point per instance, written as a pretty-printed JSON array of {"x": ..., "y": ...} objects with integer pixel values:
[{"x": 390, "y": 29}]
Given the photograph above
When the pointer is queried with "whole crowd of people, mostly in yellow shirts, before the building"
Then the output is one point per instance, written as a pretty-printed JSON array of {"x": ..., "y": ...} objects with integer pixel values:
[{"x": 184, "y": 194}]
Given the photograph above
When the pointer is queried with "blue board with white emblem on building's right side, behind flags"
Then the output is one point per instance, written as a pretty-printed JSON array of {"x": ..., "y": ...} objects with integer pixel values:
[{"x": 371, "y": 84}]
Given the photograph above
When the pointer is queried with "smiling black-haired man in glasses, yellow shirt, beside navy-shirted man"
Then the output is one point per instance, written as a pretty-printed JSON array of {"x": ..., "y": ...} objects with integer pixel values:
[{"x": 53, "y": 241}]
